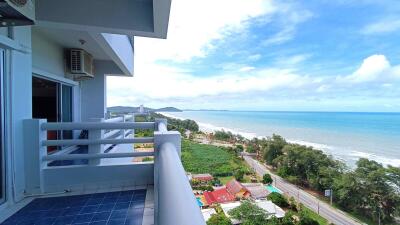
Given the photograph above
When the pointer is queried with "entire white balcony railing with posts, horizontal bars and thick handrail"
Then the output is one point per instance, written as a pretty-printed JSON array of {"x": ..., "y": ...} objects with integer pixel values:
[{"x": 171, "y": 185}]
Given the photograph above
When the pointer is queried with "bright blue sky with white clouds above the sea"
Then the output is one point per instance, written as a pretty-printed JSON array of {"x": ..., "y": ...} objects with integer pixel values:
[{"x": 323, "y": 55}]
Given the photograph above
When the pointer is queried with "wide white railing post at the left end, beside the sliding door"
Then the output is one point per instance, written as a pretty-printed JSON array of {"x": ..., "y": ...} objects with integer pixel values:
[{"x": 34, "y": 136}]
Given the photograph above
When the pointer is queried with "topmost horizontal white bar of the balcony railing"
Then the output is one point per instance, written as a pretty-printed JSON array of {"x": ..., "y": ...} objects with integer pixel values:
[{"x": 97, "y": 125}]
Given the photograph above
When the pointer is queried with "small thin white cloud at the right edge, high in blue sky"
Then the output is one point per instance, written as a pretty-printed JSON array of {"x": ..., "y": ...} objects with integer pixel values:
[{"x": 382, "y": 27}]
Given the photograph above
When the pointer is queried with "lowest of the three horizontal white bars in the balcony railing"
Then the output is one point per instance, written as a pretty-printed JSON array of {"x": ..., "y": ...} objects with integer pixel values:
[{"x": 96, "y": 156}]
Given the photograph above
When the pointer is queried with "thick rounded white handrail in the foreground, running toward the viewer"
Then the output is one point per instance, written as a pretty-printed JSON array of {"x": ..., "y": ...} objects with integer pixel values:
[{"x": 173, "y": 184}]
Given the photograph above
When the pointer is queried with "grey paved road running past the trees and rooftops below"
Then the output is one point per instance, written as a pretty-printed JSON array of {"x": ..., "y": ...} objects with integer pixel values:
[{"x": 325, "y": 210}]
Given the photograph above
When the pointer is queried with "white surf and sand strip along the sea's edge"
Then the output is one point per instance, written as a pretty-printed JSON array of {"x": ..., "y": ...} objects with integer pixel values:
[{"x": 349, "y": 159}]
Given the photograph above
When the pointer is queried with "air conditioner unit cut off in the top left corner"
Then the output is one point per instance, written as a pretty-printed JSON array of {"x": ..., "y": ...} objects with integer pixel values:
[{"x": 17, "y": 12}]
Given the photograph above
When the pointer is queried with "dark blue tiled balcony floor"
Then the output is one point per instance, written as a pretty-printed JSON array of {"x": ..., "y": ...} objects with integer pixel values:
[{"x": 112, "y": 208}]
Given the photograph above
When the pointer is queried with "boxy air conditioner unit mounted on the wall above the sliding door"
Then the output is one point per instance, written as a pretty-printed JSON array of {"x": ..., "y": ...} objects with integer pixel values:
[{"x": 80, "y": 64}]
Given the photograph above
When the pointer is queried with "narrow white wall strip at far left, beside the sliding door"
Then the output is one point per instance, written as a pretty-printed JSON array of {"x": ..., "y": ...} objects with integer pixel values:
[{"x": 18, "y": 106}]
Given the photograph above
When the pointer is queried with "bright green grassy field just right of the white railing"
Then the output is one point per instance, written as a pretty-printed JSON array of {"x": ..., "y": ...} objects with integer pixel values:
[{"x": 218, "y": 161}]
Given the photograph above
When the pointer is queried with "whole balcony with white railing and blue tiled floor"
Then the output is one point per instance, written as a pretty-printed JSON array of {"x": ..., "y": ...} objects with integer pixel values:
[{"x": 87, "y": 171}]
